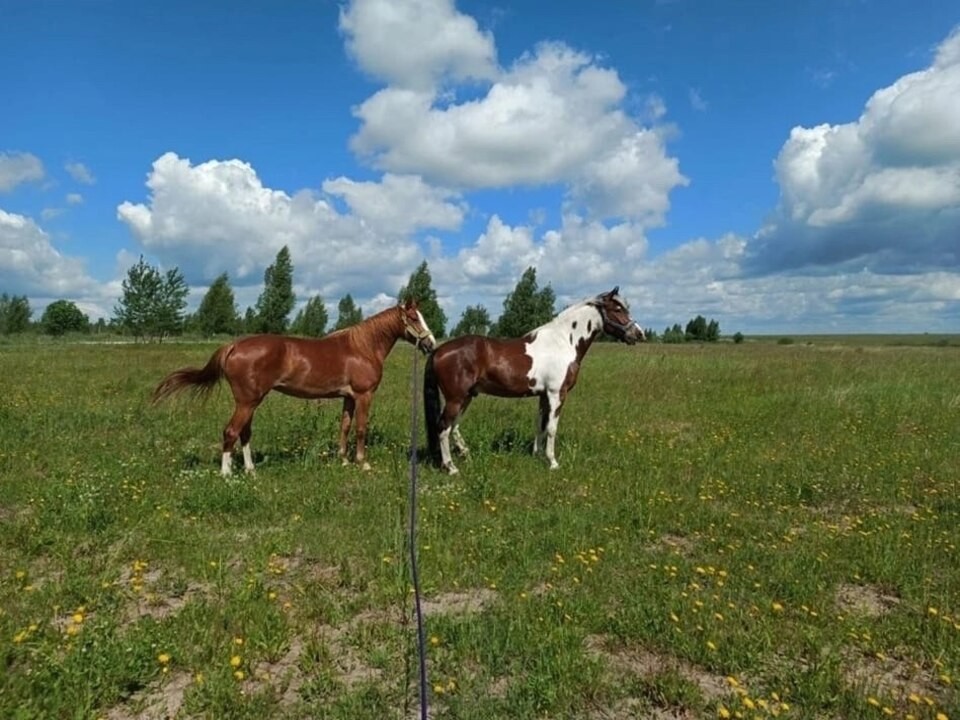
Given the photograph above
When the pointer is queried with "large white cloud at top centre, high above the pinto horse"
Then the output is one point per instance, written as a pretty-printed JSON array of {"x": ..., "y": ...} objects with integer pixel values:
[{"x": 554, "y": 117}]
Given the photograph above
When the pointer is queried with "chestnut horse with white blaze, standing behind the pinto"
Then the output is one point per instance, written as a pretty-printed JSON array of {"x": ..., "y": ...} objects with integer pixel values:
[{"x": 347, "y": 363}]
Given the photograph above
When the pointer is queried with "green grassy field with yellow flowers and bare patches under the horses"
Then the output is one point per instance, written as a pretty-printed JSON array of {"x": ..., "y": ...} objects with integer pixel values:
[{"x": 755, "y": 530}]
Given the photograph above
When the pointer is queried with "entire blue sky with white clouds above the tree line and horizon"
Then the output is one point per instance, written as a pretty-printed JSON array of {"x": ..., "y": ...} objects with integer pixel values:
[{"x": 780, "y": 167}]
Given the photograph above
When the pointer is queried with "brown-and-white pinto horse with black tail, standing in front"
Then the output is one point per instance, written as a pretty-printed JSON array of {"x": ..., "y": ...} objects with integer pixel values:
[{"x": 543, "y": 363}]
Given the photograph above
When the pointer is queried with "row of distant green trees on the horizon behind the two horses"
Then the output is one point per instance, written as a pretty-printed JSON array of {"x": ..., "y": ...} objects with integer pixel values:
[{"x": 153, "y": 303}]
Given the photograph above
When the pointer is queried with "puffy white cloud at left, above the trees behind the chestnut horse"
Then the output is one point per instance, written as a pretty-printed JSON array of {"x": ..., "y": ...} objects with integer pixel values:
[{"x": 217, "y": 216}]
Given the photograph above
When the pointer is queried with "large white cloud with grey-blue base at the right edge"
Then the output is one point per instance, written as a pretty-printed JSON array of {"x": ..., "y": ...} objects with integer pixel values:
[{"x": 881, "y": 191}]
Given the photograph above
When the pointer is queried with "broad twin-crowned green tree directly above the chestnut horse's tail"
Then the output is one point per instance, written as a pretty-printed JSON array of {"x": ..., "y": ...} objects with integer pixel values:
[{"x": 152, "y": 302}]
